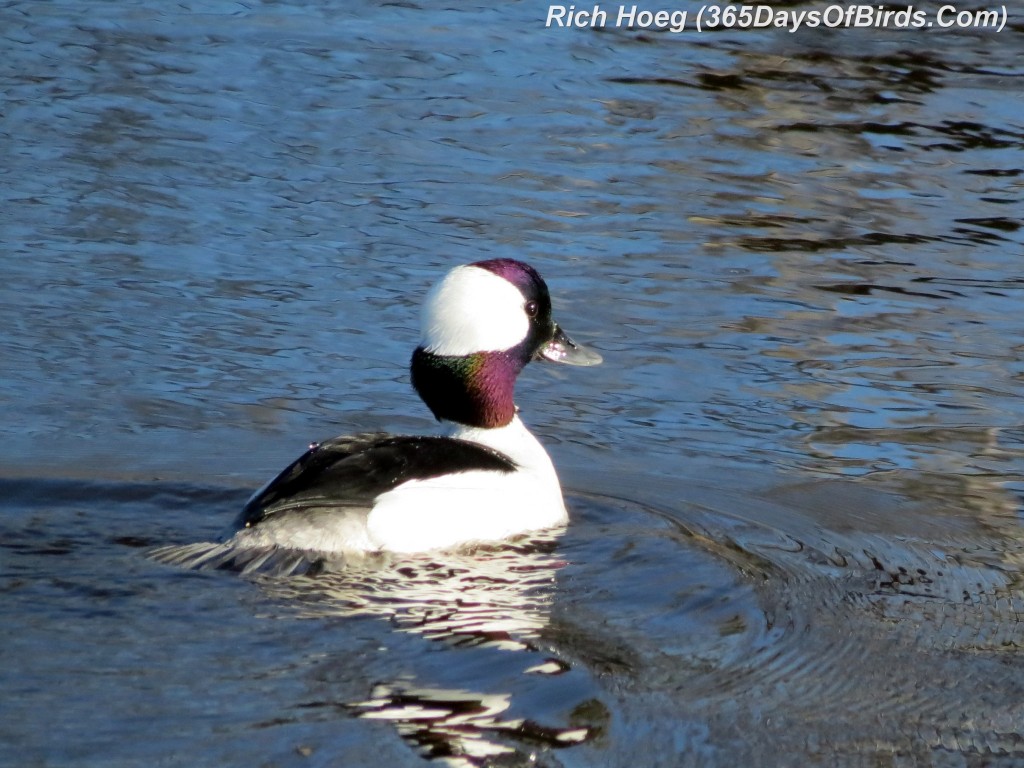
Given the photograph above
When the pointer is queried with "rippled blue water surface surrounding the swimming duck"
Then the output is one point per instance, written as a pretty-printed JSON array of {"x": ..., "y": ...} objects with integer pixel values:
[{"x": 795, "y": 484}]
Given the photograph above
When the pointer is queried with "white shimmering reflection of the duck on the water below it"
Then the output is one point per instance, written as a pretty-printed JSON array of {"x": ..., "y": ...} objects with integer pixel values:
[{"x": 493, "y": 600}]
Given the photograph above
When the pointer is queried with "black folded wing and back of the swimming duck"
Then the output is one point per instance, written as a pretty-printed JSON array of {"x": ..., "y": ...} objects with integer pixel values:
[{"x": 353, "y": 472}]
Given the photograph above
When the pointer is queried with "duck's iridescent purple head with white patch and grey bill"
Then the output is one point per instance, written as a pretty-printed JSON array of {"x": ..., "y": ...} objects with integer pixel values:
[{"x": 483, "y": 323}]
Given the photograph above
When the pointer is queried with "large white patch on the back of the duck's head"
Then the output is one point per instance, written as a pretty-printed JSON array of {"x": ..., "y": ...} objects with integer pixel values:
[{"x": 474, "y": 311}]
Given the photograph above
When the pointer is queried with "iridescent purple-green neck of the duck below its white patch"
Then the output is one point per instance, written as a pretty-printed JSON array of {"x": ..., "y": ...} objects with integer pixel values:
[{"x": 476, "y": 391}]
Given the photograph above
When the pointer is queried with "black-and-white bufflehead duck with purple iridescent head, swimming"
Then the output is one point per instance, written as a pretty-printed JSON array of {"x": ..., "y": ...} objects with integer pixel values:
[{"x": 488, "y": 479}]
